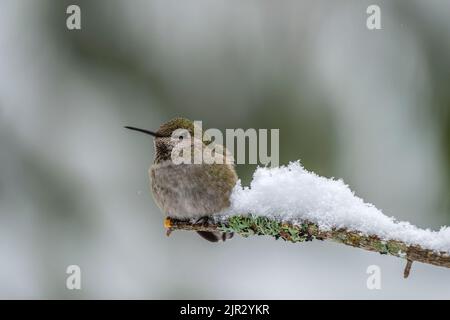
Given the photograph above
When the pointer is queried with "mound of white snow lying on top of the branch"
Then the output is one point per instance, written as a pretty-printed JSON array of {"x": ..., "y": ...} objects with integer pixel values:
[{"x": 291, "y": 193}]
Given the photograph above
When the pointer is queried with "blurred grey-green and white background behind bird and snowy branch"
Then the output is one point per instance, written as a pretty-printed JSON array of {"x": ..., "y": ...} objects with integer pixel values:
[{"x": 371, "y": 107}]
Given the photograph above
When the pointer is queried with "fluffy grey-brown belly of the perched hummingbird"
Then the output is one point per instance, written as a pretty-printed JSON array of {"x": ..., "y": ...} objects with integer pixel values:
[{"x": 184, "y": 191}]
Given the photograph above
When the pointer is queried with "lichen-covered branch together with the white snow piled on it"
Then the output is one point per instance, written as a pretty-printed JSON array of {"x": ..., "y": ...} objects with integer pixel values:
[{"x": 296, "y": 205}]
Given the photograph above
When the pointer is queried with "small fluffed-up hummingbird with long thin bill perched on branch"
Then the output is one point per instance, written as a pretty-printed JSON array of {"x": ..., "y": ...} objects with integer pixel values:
[{"x": 186, "y": 191}]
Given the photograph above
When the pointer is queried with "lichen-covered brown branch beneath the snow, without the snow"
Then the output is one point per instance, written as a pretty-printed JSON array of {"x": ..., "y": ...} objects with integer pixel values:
[{"x": 307, "y": 231}]
